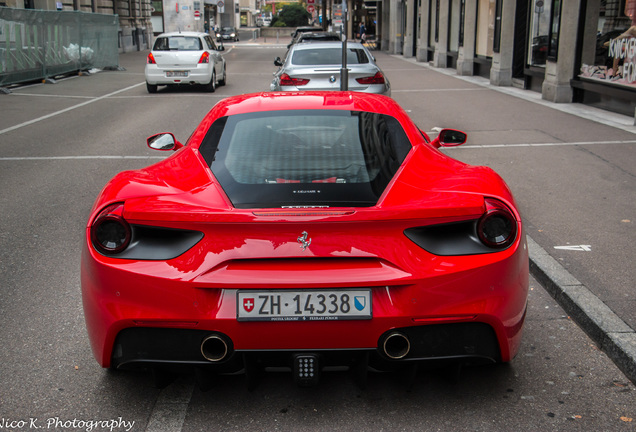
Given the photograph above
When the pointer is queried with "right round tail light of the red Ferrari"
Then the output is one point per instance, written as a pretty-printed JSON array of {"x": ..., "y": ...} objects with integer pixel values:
[{"x": 497, "y": 228}]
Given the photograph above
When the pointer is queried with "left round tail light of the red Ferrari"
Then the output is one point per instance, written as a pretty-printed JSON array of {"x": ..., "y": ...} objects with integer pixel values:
[{"x": 110, "y": 233}]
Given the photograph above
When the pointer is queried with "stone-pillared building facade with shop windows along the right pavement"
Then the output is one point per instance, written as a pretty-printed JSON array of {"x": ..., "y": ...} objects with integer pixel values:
[{"x": 568, "y": 50}]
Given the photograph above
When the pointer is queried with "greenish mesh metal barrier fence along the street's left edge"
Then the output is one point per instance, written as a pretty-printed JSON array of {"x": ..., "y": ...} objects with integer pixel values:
[{"x": 36, "y": 44}]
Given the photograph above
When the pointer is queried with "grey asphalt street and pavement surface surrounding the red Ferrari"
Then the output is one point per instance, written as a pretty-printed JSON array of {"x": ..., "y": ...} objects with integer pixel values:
[{"x": 61, "y": 143}]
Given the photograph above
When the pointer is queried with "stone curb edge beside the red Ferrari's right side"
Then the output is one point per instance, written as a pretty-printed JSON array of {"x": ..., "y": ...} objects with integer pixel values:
[{"x": 602, "y": 325}]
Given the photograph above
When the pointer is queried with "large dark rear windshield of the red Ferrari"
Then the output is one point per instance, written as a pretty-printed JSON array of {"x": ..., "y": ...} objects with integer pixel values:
[{"x": 305, "y": 158}]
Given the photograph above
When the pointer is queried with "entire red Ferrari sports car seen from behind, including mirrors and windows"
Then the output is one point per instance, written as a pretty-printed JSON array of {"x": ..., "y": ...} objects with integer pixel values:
[{"x": 305, "y": 230}]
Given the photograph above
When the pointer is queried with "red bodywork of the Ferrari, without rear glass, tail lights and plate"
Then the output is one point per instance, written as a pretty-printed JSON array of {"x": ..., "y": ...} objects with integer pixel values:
[{"x": 145, "y": 310}]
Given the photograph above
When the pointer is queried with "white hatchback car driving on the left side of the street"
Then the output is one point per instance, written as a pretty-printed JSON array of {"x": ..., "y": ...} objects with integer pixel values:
[{"x": 185, "y": 58}]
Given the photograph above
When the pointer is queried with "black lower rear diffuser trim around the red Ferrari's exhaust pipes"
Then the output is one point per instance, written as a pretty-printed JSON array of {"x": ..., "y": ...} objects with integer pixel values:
[{"x": 472, "y": 342}]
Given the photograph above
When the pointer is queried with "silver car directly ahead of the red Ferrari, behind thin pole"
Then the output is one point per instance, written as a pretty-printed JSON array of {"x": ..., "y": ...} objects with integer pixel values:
[{"x": 316, "y": 66}]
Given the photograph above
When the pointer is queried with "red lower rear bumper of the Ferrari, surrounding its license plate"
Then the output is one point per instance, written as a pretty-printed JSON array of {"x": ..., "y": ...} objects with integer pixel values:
[{"x": 445, "y": 316}]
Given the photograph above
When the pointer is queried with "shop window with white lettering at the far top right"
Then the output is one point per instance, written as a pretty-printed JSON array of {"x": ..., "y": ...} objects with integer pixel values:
[{"x": 613, "y": 58}]
